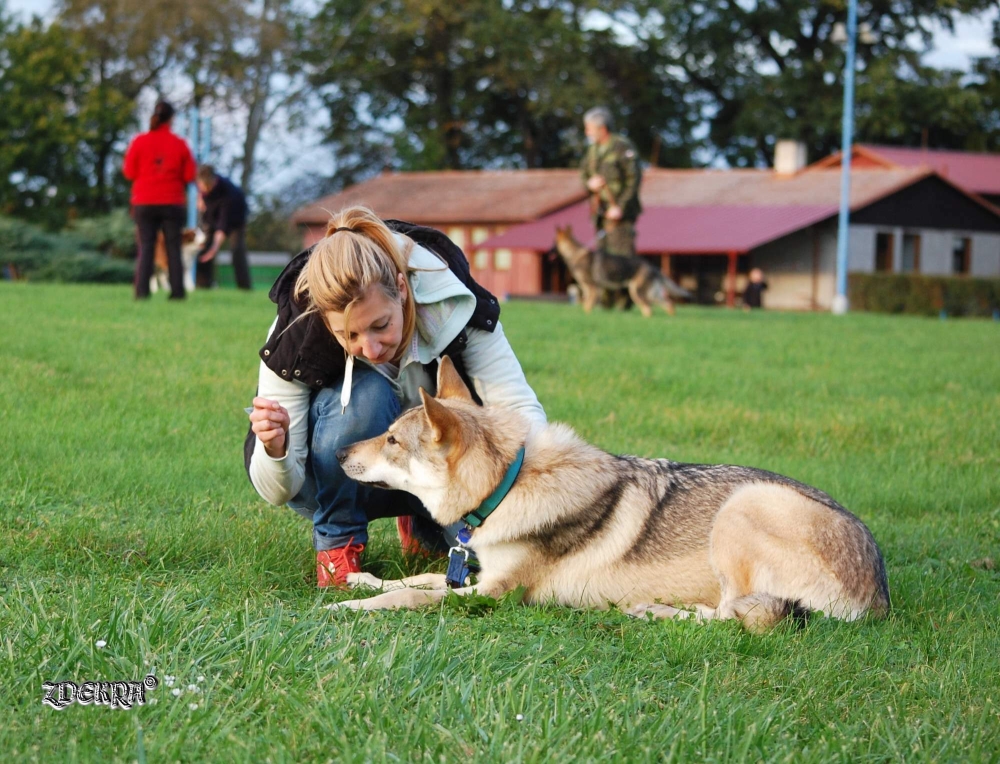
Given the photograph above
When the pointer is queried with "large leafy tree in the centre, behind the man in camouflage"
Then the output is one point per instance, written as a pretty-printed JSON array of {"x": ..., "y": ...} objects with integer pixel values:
[{"x": 420, "y": 84}]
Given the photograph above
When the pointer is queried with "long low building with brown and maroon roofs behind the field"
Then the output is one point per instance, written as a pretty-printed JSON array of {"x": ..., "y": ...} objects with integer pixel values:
[{"x": 709, "y": 227}]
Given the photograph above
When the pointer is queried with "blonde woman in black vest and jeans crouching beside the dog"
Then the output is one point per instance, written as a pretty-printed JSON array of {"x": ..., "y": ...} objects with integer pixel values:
[{"x": 363, "y": 317}]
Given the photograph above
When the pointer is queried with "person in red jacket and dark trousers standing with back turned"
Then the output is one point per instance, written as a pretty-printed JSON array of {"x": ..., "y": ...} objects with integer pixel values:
[{"x": 160, "y": 166}]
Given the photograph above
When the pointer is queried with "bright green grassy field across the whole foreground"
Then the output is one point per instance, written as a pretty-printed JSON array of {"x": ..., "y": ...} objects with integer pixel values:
[{"x": 131, "y": 542}]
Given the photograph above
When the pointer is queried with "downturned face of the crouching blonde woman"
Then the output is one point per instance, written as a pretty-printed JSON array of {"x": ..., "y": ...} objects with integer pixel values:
[{"x": 376, "y": 328}]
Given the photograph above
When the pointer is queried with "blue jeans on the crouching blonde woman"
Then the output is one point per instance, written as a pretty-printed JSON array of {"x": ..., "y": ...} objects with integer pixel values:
[{"x": 338, "y": 506}]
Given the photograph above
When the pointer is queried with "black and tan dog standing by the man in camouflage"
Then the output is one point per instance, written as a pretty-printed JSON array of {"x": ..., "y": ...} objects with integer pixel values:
[{"x": 594, "y": 271}]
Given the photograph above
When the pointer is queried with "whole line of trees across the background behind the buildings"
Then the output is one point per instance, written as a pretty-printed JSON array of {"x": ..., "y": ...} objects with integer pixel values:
[{"x": 434, "y": 84}]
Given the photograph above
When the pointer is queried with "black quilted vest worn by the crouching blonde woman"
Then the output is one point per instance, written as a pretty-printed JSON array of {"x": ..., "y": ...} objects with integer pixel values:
[{"x": 306, "y": 351}]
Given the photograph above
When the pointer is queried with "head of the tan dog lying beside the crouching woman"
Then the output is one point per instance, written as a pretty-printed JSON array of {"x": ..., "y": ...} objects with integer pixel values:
[{"x": 442, "y": 452}]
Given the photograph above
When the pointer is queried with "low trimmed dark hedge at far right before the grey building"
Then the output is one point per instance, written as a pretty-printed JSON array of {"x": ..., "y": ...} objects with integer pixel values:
[{"x": 923, "y": 295}]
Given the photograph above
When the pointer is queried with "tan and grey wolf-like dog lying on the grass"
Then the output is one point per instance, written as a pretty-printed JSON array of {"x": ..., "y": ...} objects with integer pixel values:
[{"x": 584, "y": 528}]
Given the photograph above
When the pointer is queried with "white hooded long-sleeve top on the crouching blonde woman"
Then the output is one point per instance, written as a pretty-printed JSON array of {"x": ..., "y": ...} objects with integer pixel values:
[{"x": 444, "y": 306}]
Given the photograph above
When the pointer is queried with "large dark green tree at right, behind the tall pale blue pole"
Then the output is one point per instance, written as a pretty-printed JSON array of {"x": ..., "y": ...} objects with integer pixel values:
[{"x": 772, "y": 69}]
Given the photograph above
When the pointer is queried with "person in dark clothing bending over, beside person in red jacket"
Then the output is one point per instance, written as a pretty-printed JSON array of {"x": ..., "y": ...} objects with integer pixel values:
[{"x": 225, "y": 216}]
